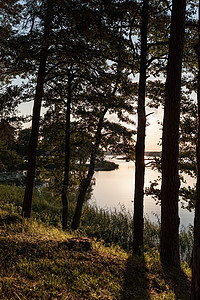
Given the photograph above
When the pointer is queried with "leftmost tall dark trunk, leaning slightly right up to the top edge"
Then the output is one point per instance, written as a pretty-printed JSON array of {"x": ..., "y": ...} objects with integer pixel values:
[{"x": 27, "y": 203}]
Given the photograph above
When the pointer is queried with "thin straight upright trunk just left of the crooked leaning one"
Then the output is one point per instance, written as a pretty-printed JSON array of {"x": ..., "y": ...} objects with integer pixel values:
[{"x": 64, "y": 195}]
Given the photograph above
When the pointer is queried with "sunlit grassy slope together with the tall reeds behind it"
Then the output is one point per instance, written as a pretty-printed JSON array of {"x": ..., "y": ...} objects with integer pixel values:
[{"x": 40, "y": 261}]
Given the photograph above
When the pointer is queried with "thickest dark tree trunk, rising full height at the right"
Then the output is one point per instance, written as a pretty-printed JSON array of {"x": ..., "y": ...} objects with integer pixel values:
[{"x": 169, "y": 240}]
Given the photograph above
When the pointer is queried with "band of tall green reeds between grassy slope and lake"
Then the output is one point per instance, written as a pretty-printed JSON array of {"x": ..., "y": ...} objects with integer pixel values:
[{"x": 110, "y": 227}]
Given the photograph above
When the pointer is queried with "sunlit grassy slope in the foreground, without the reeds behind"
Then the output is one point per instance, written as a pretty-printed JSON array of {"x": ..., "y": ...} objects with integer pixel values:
[{"x": 42, "y": 262}]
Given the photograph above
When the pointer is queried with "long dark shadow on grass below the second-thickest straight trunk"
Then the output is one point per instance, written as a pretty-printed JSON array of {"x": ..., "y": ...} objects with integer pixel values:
[{"x": 135, "y": 280}]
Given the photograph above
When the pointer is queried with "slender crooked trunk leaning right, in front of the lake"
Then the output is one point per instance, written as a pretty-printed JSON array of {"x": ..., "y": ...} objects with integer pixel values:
[{"x": 86, "y": 182}]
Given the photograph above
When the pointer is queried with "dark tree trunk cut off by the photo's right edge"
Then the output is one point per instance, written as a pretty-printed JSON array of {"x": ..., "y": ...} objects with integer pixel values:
[{"x": 195, "y": 286}]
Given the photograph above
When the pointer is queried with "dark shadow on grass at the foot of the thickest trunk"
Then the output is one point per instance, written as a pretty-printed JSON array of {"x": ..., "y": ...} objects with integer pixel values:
[{"x": 178, "y": 281}]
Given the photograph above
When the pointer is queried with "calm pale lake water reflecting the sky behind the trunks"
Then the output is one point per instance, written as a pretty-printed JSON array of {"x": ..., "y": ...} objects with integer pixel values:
[{"x": 115, "y": 188}]
